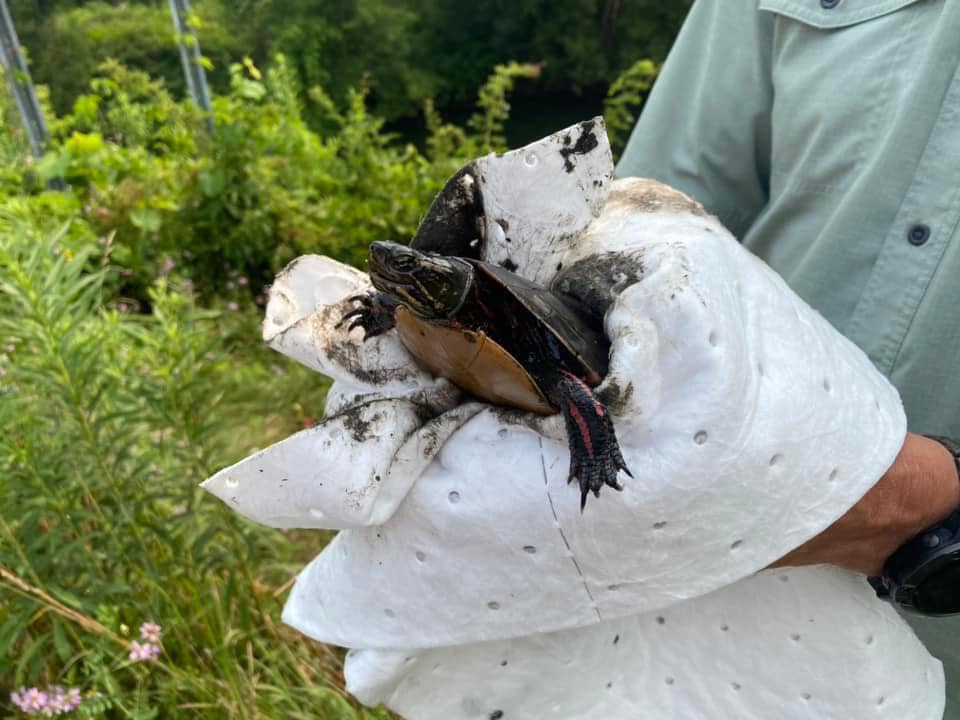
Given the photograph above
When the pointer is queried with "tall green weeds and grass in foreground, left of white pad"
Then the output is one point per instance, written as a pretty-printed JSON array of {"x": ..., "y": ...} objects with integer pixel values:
[{"x": 112, "y": 418}]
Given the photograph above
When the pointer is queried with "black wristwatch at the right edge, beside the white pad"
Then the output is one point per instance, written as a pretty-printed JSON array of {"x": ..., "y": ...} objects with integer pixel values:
[{"x": 923, "y": 575}]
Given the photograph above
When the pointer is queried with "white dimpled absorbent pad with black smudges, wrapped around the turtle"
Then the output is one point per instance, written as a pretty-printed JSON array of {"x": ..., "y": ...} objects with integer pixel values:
[{"x": 468, "y": 581}]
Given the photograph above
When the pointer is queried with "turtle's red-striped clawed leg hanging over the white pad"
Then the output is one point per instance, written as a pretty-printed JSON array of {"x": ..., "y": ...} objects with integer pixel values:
[{"x": 595, "y": 457}]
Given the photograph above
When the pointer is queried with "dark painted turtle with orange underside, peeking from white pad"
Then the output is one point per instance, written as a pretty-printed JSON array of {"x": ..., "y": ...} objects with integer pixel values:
[{"x": 502, "y": 338}]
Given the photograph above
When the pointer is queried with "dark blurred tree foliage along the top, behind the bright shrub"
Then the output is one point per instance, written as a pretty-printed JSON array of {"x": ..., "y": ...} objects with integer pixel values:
[{"x": 402, "y": 51}]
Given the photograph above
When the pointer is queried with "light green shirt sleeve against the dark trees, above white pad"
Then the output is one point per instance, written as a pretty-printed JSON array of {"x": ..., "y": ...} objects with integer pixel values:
[{"x": 705, "y": 128}]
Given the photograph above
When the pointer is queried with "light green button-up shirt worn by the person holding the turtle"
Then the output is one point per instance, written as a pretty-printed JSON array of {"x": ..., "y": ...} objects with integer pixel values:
[{"x": 826, "y": 135}]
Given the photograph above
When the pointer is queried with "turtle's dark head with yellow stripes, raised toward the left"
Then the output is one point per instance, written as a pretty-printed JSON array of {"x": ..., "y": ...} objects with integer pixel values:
[{"x": 432, "y": 286}]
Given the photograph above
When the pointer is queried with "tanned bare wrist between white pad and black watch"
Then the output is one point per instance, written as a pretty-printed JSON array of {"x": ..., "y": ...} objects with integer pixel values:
[{"x": 920, "y": 489}]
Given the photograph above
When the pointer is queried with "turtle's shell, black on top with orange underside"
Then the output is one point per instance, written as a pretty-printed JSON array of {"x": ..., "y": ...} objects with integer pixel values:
[{"x": 501, "y": 346}]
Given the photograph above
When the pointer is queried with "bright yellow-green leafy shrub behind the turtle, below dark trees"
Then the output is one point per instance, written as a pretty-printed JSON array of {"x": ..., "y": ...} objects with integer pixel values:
[{"x": 262, "y": 188}]
